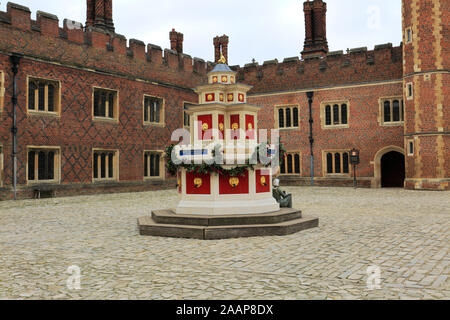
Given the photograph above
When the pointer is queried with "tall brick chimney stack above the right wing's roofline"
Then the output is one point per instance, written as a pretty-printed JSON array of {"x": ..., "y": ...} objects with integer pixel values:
[{"x": 315, "y": 29}]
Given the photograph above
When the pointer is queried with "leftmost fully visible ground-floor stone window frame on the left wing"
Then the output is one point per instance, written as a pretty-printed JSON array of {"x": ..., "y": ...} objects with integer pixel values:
[{"x": 56, "y": 165}]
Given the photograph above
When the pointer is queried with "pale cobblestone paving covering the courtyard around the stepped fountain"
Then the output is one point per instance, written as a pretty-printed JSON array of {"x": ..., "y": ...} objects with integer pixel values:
[{"x": 405, "y": 233}]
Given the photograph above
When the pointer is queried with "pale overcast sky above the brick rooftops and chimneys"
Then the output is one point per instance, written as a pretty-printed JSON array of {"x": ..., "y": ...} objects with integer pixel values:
[{"x": 259, "y": 29}]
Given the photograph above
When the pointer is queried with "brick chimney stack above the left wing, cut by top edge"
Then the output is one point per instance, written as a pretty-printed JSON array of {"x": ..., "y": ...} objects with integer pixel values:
[{"x": 99, "y": 14}]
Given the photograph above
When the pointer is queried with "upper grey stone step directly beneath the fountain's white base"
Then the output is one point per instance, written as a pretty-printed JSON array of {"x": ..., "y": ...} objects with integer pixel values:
[{"x": 169, "y": 217}]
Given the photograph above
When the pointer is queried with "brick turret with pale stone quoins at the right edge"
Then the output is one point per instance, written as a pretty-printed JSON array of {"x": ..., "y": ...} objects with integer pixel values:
[{"x": 426, "y": 61}]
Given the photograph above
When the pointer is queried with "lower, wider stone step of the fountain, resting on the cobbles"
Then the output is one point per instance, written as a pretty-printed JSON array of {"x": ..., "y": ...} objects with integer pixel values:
[{"x": 148, "y": 227}]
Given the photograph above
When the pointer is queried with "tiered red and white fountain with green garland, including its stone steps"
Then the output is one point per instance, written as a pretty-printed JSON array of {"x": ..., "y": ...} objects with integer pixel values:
[{"x": 224, "y": 175}]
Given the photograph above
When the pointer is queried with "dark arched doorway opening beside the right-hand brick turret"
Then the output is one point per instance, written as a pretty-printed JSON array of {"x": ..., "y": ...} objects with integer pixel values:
[{"x": 393, "y": 170}]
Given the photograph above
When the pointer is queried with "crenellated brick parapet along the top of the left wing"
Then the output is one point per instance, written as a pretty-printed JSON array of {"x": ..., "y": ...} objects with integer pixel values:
[{"x": 95, "y": 48}]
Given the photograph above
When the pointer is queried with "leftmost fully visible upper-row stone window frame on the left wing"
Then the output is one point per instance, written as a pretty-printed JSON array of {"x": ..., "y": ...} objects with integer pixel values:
[{"x": 57, "y": 97}]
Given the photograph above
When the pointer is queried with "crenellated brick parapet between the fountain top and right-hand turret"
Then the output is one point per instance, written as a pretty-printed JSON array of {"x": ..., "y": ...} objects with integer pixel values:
[{"x": 359, "y": 65}]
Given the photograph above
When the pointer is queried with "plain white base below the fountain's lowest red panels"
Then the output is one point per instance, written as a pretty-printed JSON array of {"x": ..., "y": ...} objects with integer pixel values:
[{"x": 230, "y": 207}]
